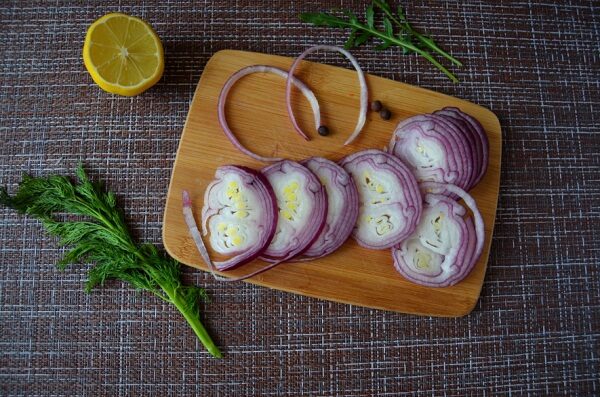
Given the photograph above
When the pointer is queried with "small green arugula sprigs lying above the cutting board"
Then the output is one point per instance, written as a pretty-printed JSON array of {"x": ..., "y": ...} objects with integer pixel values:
[{"x": 405, "y": 36}]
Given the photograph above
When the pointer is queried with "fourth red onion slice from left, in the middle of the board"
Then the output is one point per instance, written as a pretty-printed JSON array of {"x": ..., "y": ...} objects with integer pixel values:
[{"x": 390, "y": 202}]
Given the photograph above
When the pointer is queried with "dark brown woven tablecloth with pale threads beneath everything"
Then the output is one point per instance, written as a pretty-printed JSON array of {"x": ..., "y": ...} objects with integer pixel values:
[{"x": 535, "y": 330}]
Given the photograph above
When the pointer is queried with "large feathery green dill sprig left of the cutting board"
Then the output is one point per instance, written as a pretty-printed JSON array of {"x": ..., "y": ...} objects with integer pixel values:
[{"x": 100, "y": 235}]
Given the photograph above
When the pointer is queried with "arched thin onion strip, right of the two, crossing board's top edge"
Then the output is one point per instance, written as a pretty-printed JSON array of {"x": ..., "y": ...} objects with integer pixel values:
[{"x": 364, "y": 92}]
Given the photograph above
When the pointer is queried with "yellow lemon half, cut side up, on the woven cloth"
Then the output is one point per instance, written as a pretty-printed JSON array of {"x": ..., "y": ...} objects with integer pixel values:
[{"x": 123, "y": 54}]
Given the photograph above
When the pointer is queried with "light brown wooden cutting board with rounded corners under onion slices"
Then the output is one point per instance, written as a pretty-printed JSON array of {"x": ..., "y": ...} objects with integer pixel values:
[{"x": 256, "y": 113}]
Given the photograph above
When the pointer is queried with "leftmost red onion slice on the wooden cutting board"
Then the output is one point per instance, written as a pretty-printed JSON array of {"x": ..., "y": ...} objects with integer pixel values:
[{"x": 239, "y": 215}]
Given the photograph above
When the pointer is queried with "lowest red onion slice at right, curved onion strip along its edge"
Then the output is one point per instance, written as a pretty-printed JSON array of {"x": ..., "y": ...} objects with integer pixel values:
[{"x": 444, "y": 247}]
